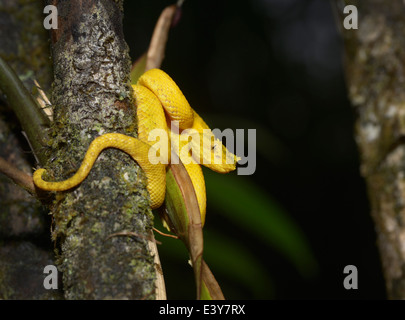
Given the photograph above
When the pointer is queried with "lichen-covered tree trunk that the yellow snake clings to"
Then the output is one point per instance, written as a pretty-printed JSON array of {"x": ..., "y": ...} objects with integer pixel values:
[{"x": 92, "y": 96}]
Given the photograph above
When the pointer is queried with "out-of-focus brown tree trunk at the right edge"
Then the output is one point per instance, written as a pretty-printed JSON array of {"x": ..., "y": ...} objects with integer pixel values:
[{"x": 374, "y": 66}]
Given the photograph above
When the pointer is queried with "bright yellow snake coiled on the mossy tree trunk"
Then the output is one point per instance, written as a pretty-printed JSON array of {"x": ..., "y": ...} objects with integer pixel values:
[{"x": 157, "y": 95}]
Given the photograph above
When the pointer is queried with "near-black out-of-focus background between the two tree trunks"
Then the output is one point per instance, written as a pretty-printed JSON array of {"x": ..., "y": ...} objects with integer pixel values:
[{"x": 275, "y": 66}]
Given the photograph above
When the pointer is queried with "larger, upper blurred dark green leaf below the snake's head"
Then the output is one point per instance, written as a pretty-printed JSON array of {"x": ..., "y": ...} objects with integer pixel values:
[{"x": 245, "y": 204}]
